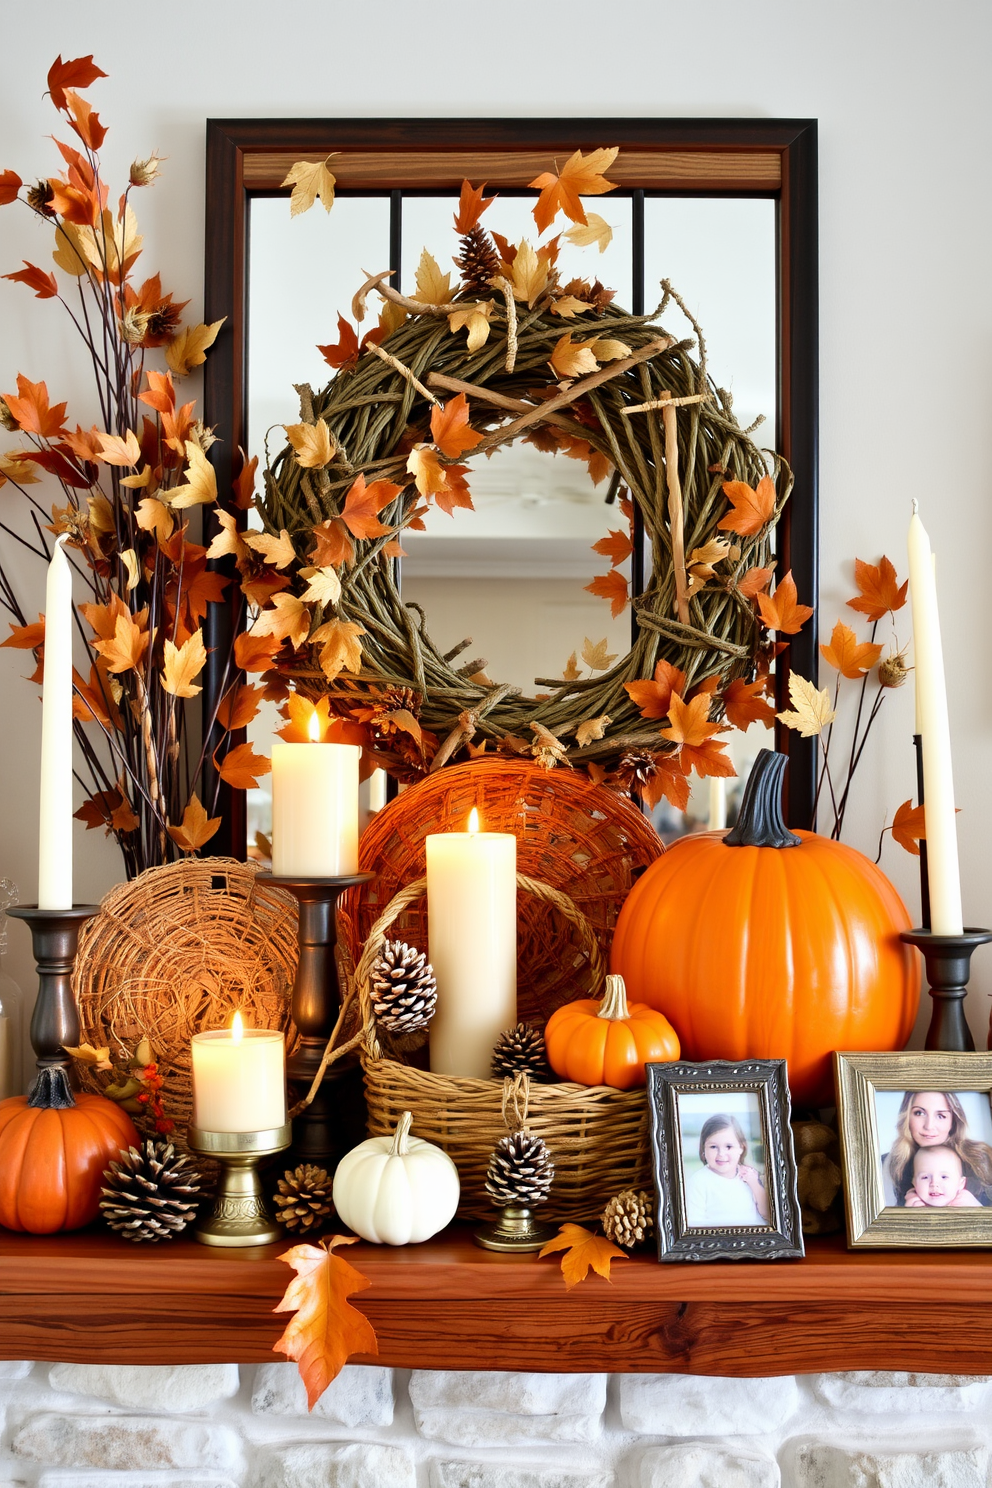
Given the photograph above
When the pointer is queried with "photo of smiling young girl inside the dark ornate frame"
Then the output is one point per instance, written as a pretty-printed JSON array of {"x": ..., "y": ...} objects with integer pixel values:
[{"x": 724, "y": 1161}]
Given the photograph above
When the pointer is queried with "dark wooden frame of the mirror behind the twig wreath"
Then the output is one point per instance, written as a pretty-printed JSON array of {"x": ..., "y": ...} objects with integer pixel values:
[{"x": 398, "y": 161}]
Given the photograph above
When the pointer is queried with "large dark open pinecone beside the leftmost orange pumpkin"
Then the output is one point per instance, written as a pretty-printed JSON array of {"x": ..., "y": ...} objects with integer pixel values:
[{"x": 151, "y": 1193}]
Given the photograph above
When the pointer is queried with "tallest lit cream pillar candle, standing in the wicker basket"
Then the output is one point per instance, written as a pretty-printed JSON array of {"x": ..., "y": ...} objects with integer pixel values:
[{"x": 472, "y": 931}]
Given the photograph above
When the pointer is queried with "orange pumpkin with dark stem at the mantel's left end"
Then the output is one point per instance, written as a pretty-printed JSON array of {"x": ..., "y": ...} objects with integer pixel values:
[{"x": 53, "y": 1155}]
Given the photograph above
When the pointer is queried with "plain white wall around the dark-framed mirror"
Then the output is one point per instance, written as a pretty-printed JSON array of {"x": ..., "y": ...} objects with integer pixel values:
[{"x": 901, "y": 92}]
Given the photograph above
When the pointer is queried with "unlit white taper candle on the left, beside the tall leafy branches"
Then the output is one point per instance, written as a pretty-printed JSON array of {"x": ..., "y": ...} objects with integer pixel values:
[{"x": 56, "y": 825}]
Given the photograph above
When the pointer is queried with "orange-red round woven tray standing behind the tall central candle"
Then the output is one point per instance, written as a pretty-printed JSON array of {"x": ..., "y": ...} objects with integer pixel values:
[{"x": 578, "y": 837}]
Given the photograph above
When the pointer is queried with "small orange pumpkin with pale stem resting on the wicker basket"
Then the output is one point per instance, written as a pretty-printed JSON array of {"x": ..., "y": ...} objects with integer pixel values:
[{"x": 608, "y": 1042}]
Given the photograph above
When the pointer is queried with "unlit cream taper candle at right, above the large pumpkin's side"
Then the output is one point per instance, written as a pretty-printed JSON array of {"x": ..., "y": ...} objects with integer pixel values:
[{"x": 932, "y": 696}]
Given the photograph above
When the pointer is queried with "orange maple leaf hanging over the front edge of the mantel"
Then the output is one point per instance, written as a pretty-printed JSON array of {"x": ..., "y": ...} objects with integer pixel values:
[{"x": 326, "y": 1330}]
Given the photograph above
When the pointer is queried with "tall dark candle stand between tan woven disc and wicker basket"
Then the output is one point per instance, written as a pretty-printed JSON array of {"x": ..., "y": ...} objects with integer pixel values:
[{"x": 335, "y": 1120}]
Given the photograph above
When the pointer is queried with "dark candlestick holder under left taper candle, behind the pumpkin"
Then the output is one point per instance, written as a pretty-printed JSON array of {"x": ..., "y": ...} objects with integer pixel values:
[{"x": 56, "y": 1017}]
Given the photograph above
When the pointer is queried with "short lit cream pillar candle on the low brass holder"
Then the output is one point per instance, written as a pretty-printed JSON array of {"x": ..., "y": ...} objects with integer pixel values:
[{"x": 239, "y": 1080}]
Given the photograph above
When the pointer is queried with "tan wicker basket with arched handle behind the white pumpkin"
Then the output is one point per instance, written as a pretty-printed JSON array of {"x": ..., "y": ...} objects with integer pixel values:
[{"x": 599, "y": 1136}]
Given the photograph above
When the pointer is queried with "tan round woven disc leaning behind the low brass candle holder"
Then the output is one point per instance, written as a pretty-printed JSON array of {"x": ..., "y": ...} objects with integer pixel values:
[{"x": 178, "y": 952}]
